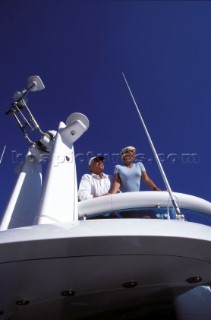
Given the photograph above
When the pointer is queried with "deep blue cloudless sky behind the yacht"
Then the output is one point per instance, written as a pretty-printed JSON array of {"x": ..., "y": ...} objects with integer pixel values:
[{"x": 80, "y": 49}]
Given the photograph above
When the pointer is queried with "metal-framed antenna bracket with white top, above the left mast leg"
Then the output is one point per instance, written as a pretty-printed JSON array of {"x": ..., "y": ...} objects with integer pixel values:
[{"x": 34, "y": 83}]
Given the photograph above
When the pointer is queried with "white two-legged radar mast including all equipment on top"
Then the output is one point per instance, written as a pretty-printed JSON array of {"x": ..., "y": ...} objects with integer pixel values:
[{"x": 55, "y": 201}]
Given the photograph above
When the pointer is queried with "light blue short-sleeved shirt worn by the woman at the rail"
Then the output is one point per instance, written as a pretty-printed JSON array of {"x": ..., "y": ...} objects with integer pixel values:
[{"x": 130, "y": 177}]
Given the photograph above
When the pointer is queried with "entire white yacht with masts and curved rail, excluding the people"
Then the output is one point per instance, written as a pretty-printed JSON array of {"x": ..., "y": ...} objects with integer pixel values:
[{"x": 119, "y": 257}]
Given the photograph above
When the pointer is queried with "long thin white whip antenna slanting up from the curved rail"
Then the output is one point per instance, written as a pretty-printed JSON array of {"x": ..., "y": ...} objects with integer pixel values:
[{"x": 174, "y": 202}]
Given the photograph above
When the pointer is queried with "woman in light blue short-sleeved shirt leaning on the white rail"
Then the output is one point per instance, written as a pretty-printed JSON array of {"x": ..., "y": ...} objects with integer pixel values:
[{"x": 128, "y": 176}]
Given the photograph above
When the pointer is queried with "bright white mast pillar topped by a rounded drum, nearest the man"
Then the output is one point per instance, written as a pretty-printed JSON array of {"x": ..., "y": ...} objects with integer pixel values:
[{"x": 59, "y": 196}]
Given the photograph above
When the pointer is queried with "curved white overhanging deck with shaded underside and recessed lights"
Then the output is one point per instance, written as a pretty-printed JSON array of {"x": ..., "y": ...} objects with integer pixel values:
[{"x": 93, "y": 261}]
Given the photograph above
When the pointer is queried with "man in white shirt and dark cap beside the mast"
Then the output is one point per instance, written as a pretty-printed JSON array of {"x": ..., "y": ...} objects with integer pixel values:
[{"x": 95, "y": 184}]
